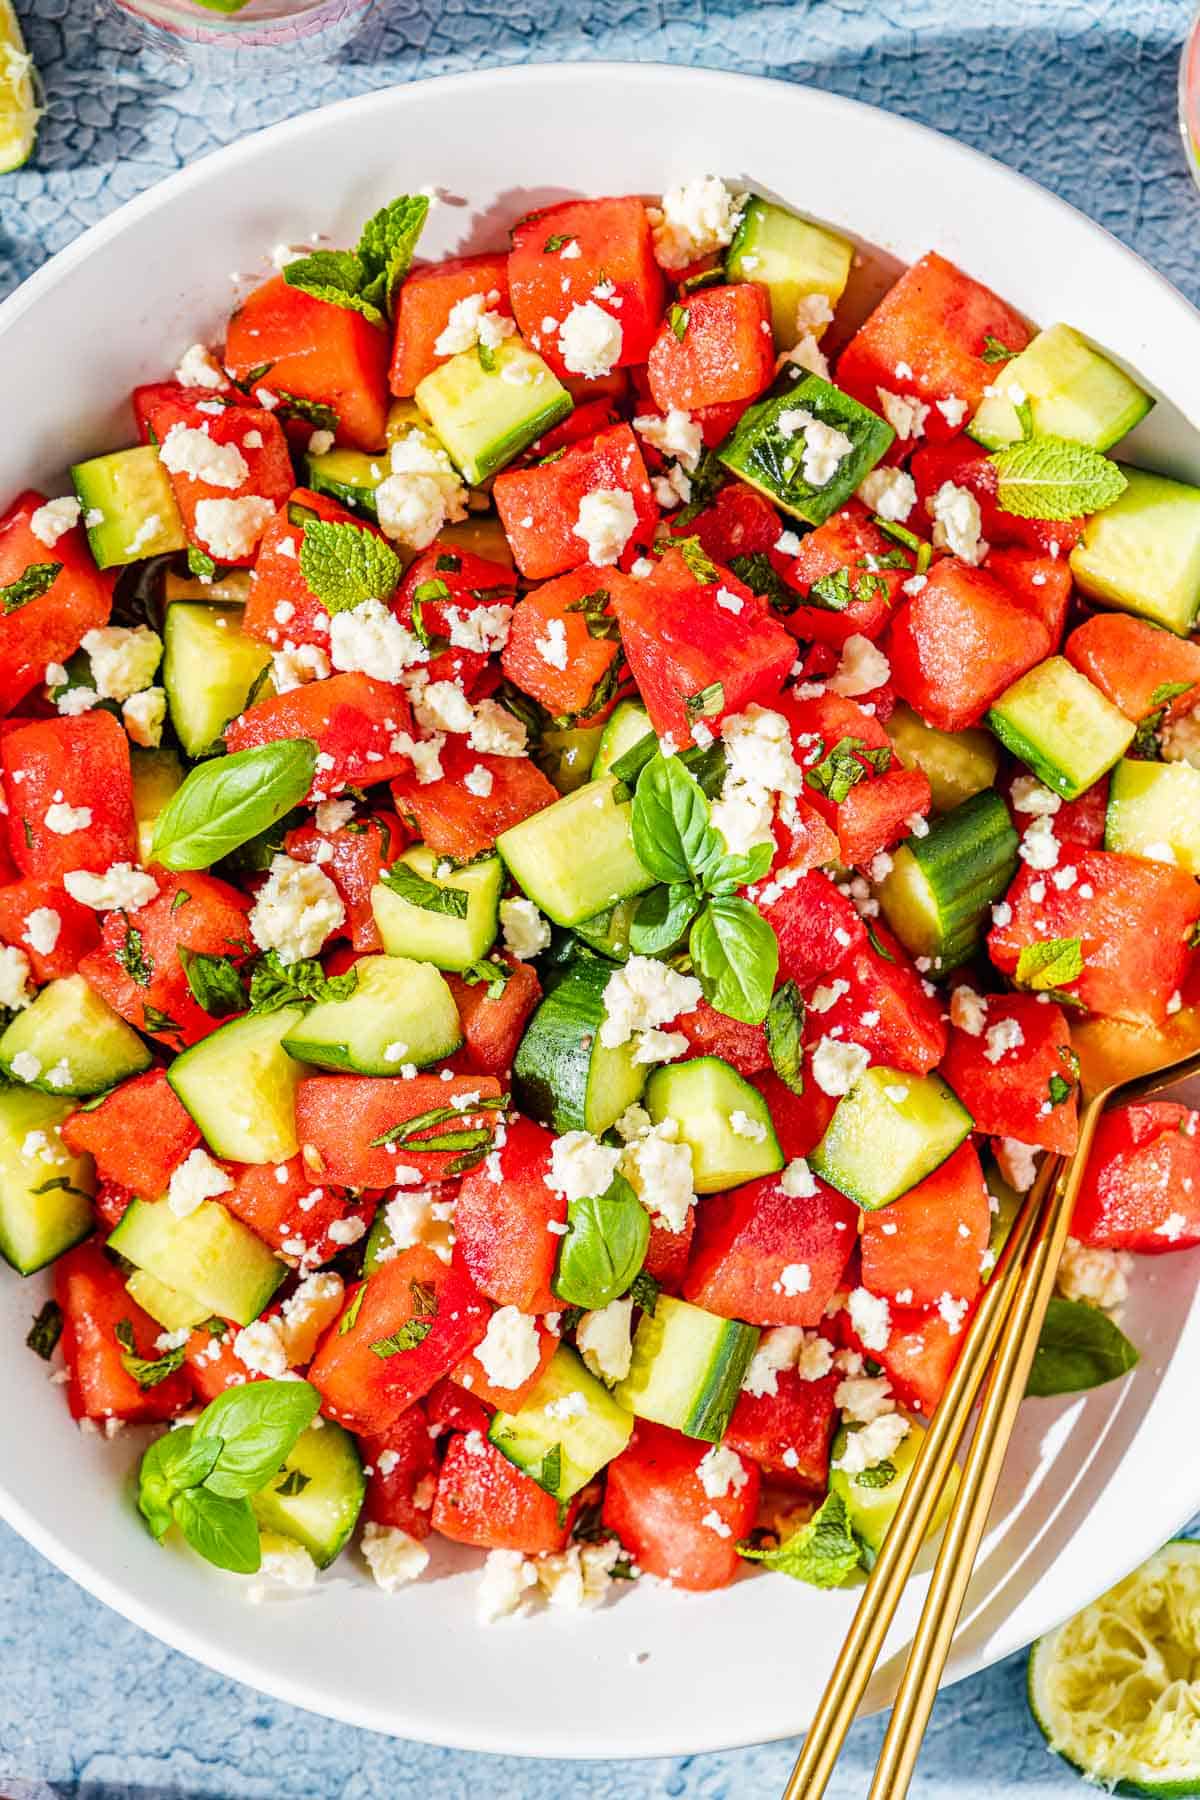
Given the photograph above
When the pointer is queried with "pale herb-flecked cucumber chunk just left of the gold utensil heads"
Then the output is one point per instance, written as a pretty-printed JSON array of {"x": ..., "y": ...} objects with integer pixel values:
[{"x": 890, "y": 1133}]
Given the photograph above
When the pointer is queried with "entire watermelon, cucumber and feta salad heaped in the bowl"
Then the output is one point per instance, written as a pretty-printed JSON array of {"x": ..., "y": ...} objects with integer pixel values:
[{"x": 575, "y": 820}]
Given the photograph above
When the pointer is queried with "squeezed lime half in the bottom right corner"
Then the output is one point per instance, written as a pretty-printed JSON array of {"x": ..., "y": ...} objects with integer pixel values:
[{"x": 1116, "y": 1691}]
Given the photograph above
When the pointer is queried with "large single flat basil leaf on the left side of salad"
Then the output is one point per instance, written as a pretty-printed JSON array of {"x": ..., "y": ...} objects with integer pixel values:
[{"x": 229, "y": 800}]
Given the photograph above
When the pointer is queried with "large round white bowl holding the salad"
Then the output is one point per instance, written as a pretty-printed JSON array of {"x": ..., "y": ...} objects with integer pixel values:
[{"x": 1093, "y": 1484}]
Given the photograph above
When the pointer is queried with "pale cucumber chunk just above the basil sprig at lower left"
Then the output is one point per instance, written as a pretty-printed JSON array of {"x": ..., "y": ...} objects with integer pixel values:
[{"x": 208, "y": 1255}]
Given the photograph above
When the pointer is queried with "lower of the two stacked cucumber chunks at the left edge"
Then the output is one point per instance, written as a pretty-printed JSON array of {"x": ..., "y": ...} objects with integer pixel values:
[{"x": 46, "y": 1201}]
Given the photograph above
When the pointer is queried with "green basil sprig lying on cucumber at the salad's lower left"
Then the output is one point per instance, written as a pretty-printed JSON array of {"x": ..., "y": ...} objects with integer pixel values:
[{"x": 202, "y": 1477}]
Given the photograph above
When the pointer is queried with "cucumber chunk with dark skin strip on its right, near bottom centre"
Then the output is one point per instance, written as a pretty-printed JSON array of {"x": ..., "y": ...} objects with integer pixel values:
[{"x": 688, "y": 1369}]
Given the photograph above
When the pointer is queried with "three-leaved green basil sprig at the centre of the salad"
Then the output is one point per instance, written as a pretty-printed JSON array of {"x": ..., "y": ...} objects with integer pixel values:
[{"x": 733, "y": 948}]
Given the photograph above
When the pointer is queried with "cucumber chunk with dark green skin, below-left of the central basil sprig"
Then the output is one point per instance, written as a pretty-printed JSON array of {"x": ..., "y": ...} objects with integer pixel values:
[{"x": 562, "y": 1074}]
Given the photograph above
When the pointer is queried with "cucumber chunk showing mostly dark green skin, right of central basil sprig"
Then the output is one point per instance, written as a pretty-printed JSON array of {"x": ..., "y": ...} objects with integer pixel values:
[{"x": 940, "y": 888}]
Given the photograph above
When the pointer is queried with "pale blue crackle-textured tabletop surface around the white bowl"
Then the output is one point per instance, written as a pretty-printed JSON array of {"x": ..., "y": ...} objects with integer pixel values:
[{"x": 1077, "y": 93}]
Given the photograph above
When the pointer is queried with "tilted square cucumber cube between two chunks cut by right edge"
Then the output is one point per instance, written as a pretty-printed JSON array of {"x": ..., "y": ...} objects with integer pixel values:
[{"x": 1064, "y": 728}]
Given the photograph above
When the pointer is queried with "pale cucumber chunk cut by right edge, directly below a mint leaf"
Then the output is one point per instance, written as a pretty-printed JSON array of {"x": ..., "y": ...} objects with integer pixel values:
[{"x": 1143, "y": 552}]
